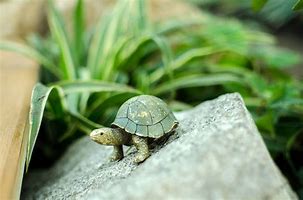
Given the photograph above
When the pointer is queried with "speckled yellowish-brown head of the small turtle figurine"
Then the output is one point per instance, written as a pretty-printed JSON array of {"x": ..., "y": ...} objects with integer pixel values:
[{"x": 107, "y": 136}]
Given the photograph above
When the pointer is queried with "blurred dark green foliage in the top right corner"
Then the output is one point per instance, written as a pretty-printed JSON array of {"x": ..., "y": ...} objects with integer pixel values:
[{"x": 276, "y": 13}]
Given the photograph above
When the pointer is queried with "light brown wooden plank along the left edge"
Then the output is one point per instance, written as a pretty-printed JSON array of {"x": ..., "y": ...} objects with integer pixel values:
[{"x": 17, "y": 77}]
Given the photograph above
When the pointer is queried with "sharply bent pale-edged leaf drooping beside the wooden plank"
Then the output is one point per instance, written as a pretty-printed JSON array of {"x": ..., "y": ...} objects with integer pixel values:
[{"x": 39, "y": 98}]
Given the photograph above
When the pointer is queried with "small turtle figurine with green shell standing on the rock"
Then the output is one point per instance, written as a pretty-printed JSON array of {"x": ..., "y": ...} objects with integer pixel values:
[{"x": 139, "y": 121}]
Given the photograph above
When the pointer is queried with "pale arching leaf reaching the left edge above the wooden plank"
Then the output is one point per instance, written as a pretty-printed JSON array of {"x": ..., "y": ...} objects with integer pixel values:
[{"x": 33, "y": 54}]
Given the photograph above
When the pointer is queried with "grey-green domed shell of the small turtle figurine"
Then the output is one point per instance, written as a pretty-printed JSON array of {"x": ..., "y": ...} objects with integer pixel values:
[{"x": 146, "y": 116}]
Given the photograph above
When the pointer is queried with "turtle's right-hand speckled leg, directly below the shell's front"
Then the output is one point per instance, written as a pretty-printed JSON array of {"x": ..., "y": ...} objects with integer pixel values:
[{"x": 142, "y": 147}]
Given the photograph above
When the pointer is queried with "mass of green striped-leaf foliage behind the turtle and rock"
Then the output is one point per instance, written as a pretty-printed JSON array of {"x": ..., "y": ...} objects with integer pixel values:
[{"x": 87, "y": 75}]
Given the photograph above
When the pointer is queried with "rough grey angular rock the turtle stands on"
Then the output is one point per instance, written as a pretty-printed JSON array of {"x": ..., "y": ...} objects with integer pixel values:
[{"x": 217, "y": 153}]
